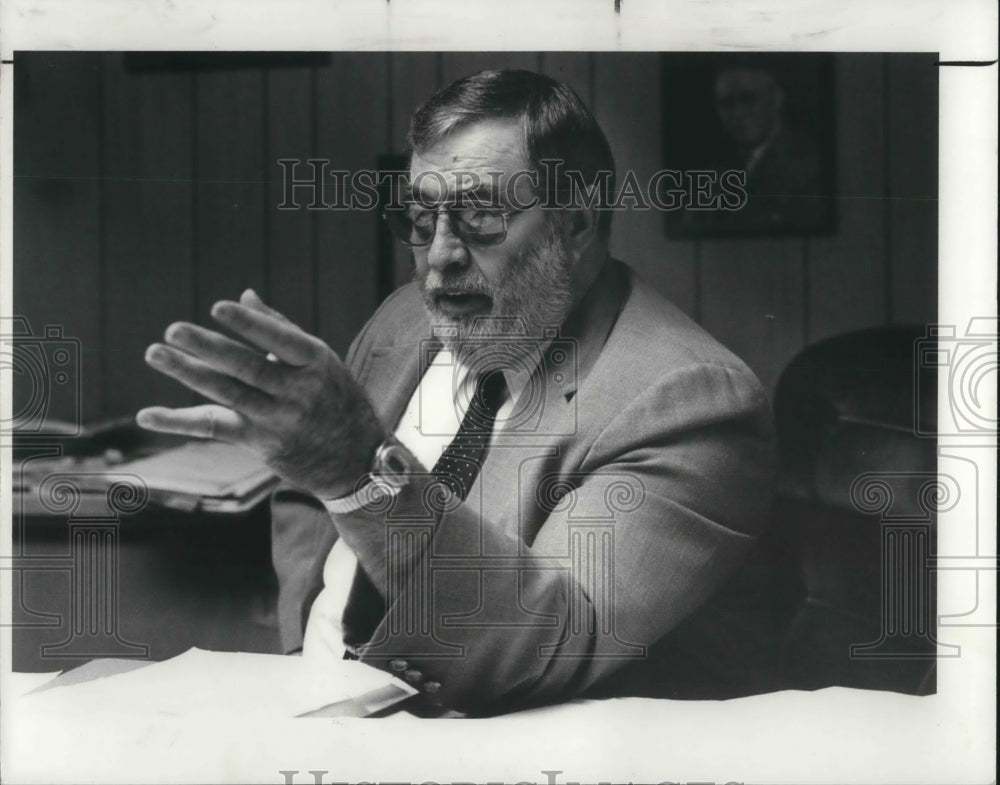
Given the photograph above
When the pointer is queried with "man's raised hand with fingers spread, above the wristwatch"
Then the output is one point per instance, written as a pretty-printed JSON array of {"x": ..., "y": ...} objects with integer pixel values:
[{"x": 298, "y": 406}]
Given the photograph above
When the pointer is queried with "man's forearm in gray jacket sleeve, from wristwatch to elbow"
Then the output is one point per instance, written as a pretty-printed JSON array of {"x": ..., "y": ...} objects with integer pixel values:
[{"x": 486, "y": 628}]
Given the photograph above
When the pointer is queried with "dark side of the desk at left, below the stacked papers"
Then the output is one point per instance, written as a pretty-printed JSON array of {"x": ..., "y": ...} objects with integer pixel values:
[{"x": 181, "y": 580}]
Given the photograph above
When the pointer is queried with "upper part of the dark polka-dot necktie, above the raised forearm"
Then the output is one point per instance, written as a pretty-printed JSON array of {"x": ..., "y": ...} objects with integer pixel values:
[{"x": 459, "y": 464}]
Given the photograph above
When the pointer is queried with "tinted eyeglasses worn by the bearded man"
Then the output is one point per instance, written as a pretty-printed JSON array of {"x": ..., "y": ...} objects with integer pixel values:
[{"x": 414, "y": 225}]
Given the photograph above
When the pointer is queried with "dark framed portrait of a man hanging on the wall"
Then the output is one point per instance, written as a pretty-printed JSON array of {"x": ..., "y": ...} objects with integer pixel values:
[{"x": 748, "y": 141}]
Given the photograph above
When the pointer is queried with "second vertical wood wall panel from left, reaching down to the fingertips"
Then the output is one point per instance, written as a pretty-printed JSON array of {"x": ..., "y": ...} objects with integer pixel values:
[{"x": 149, "y": 242}]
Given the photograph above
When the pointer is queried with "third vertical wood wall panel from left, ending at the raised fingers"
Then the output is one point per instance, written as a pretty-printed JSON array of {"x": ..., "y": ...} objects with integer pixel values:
[{"x": 231, "y": 193}]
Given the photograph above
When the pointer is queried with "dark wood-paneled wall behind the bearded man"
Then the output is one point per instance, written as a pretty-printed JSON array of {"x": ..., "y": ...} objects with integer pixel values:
[{"x": 143, "y": 196}]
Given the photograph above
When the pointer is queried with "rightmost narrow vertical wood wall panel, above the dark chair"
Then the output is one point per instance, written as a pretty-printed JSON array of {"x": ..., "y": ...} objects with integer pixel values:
[{"x": 912, "y": 91}]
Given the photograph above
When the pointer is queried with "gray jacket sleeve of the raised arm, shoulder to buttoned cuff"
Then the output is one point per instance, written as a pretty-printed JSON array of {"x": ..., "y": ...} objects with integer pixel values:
[{"x": 695, "y": 449}]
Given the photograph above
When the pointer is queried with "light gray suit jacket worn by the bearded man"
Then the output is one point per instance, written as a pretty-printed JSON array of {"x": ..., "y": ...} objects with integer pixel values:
[{"x": 591, "y": 553}]
